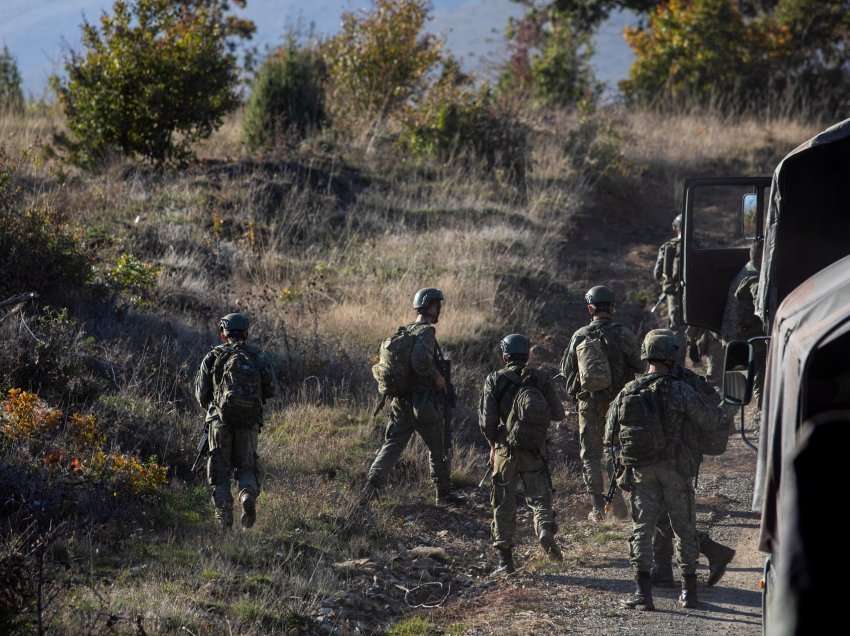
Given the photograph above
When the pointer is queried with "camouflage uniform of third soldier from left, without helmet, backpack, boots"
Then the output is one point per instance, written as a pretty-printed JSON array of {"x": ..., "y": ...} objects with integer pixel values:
[{"x": 512, "y": 465}]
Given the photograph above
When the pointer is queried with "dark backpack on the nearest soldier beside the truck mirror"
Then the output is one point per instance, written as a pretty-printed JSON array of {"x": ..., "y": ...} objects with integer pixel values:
[{"x": 641, "y": 416}]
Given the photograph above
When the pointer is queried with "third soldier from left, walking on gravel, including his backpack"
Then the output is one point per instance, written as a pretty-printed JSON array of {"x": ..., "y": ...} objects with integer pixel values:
[{"x": 518, "y": 398}]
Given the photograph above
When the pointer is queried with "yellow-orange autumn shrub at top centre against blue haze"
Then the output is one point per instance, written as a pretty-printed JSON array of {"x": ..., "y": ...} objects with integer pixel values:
[{"x": 380, "y": 59}]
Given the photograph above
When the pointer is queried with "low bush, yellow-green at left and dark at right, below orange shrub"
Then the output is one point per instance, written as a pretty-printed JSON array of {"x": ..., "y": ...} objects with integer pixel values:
[{"x": 454, "y": 121}]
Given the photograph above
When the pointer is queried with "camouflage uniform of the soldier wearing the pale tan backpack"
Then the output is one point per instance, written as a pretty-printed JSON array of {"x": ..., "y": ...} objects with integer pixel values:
[{"x": 624, "y": 358}]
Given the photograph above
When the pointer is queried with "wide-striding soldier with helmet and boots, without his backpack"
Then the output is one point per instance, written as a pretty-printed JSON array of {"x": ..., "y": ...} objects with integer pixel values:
[{"x": 422, "y": 409}]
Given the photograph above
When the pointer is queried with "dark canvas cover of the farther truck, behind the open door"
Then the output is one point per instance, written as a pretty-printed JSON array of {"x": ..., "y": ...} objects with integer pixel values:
[{"x": 807, "y": 224}]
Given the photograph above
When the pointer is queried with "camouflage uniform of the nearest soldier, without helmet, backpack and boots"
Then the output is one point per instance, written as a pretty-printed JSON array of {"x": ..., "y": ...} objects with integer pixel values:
[{"x": 665, "y": 486}]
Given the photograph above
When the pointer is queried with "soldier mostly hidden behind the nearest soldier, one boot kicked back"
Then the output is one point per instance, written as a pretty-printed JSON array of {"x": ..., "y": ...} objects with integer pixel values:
[{"x": 719, "y": 556}]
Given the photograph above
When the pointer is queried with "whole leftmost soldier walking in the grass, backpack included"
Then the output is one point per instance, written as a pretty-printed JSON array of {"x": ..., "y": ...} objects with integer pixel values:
[{"x": 233, "y": 383}]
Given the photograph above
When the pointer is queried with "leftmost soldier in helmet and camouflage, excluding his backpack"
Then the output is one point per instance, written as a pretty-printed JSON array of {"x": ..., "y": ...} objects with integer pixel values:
[{"x": 232, "y": 446}]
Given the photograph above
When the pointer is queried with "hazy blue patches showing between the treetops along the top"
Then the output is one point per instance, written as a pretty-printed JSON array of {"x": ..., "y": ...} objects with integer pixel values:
[{"x": 39, "y": 32}]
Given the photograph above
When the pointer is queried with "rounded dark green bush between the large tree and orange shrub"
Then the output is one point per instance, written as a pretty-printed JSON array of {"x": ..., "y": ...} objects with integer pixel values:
[{"x": 287, "y": 97}]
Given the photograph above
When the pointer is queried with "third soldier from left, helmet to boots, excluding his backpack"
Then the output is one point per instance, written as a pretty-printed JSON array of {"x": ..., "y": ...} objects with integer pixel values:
[{"x": 512, "y": 465}]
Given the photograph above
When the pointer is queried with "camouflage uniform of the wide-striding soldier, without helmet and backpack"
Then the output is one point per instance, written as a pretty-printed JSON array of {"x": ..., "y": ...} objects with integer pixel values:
[{"x": 421, "y": 412}]
